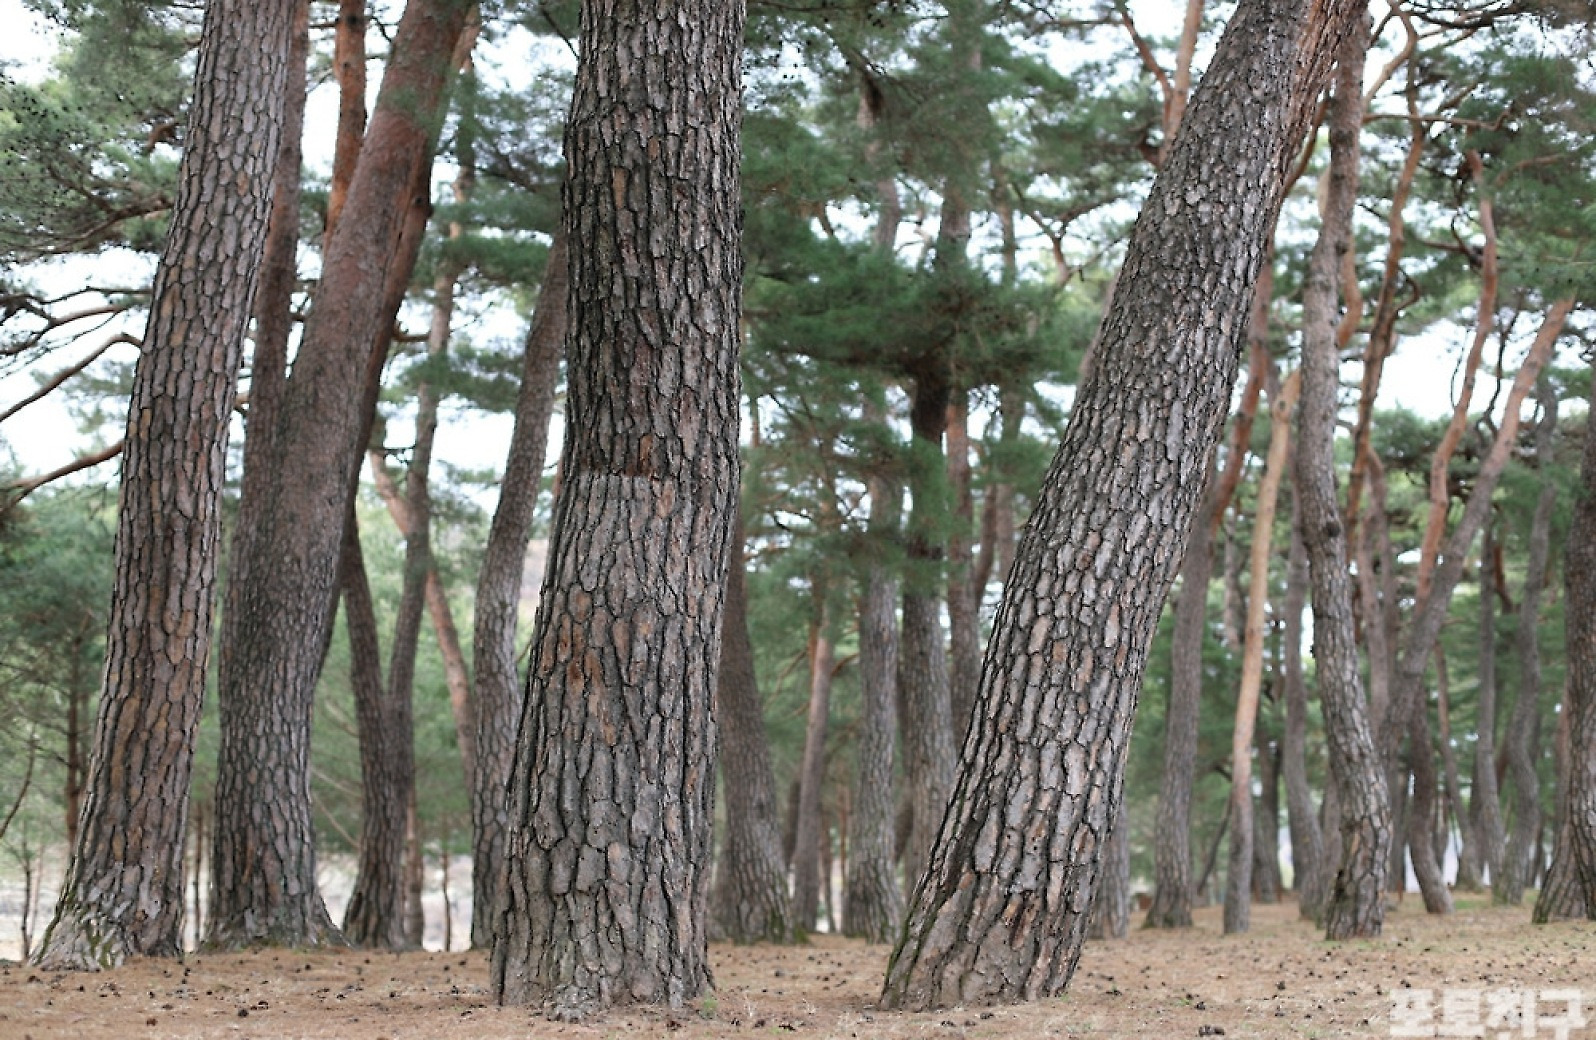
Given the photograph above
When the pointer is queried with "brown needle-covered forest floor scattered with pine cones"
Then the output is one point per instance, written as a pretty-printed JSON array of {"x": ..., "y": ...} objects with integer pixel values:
[{"x": 1279, "y": 980}]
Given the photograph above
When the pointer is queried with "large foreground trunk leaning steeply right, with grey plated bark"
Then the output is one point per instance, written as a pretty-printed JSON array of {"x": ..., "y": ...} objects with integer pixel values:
[{"x": 1003, "y": 910}]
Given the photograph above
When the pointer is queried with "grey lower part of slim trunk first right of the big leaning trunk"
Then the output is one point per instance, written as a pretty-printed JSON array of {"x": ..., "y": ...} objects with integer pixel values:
[{"x": 1172, "y": 857}]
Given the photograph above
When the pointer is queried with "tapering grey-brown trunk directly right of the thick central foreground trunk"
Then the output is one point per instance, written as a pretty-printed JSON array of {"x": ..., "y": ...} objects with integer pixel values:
[{"x": 751, "y": 897}]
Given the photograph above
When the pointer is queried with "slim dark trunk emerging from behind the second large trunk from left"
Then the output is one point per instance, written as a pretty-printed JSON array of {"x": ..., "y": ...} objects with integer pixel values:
[{"x": 374, "y": 916}]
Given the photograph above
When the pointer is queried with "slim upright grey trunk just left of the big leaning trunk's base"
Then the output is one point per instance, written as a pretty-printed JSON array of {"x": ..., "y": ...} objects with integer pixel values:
[{"x": 874, "y": 902}]
